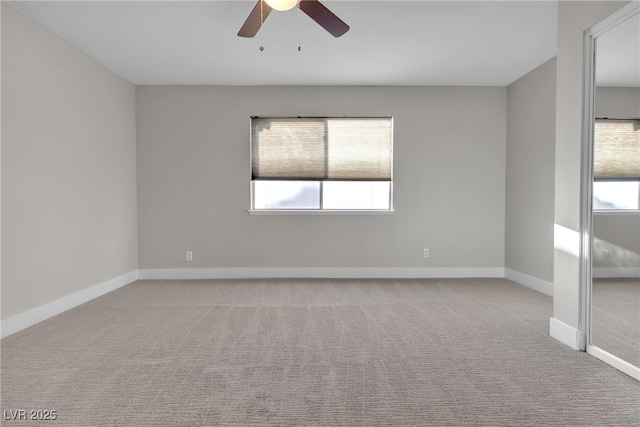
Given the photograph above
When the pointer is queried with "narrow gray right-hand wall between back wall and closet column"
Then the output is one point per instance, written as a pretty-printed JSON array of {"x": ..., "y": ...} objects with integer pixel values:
[{"x": 530, "y": 172}]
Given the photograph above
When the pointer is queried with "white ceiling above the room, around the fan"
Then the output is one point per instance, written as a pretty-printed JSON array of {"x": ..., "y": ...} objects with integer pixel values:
[{"x": 390, "y": 42}]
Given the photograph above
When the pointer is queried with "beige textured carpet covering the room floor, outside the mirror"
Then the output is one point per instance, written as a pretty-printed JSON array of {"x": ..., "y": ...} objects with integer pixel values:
[{"x": 311, "y": 353}]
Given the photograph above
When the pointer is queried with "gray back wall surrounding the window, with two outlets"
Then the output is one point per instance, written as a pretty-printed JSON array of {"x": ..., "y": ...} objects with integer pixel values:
[{"x": 193, "y": 179}]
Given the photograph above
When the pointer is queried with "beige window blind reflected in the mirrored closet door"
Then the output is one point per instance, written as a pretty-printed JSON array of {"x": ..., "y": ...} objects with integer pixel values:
[{"x": 616, "y": 149}]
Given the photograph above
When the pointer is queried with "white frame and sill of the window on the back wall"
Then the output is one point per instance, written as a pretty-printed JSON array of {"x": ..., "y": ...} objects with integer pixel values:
[{"x": 321, "y": 211}]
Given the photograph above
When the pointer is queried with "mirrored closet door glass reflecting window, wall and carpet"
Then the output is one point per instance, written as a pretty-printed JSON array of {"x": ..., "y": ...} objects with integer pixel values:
[{"x": 615, "y": 291}]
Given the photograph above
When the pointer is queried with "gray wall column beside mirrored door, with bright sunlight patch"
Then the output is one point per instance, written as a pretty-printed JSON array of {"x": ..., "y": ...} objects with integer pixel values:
[{"x": 573, "y": 18}]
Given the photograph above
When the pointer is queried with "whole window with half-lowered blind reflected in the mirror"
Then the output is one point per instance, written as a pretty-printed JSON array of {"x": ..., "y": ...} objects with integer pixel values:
[{"x": 616, "y": 165}]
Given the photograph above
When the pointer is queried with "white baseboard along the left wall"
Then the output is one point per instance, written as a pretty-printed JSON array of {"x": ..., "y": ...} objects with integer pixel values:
[{"x": 44, "y": 312}]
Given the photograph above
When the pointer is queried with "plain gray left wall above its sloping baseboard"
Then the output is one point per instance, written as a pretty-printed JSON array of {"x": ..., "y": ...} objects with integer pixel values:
[{"x": 68, "y": 168}]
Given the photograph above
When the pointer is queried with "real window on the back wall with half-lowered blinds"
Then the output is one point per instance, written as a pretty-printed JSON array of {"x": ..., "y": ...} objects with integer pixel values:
[{"x": 321, "y": 164}]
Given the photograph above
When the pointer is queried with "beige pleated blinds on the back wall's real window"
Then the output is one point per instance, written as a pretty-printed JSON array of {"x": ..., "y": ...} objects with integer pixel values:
[{"x": 324, "y": 148}]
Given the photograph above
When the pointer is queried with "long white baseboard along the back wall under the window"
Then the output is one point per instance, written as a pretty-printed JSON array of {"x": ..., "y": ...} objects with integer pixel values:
[{"x": 319, "y": 272}]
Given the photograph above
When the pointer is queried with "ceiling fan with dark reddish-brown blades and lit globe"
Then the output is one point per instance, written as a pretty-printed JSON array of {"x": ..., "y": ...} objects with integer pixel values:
[{"x": 316, "y": 11}]
